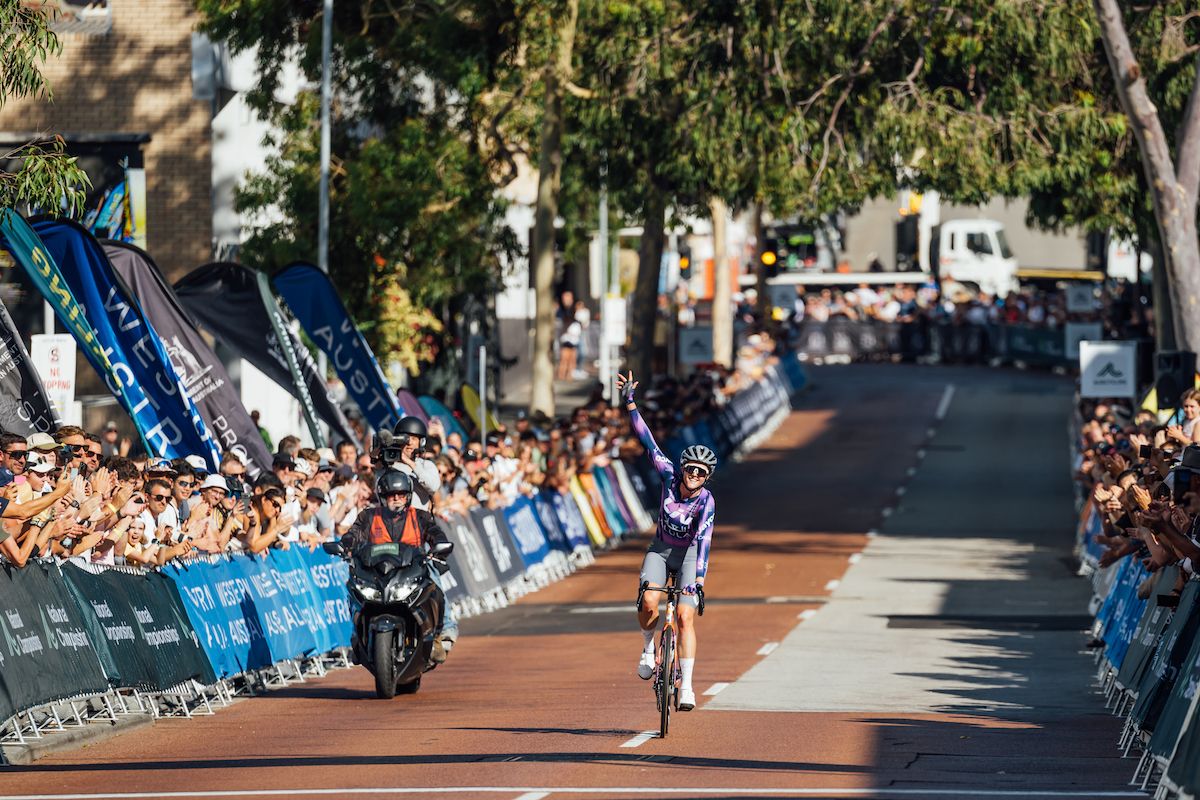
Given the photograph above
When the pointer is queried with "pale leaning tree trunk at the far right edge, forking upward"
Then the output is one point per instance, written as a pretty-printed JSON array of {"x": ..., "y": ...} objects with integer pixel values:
[{"x": 1174, "y": 195}]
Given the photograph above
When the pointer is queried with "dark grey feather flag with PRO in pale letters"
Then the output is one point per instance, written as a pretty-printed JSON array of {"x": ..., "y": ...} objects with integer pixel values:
[{"x": 208, "y": 383}]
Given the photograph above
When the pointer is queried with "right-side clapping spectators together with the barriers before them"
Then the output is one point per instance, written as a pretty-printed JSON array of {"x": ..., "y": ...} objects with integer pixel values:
[{"x": 1138, "y": 540}]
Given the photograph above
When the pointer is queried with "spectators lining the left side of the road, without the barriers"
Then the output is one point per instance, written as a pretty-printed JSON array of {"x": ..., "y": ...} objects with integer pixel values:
[{"x": 75, "y": 495}]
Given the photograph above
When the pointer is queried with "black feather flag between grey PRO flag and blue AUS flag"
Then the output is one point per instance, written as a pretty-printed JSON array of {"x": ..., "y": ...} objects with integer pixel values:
[{"x": 227, "y": 302}]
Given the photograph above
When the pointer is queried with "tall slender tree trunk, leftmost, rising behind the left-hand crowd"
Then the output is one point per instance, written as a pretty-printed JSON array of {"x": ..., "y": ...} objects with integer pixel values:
[{"x": 550, "y": 170}]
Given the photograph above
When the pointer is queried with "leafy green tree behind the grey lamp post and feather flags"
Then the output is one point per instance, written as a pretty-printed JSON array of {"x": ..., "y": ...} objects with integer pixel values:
[{"x": 423, "y": 101}]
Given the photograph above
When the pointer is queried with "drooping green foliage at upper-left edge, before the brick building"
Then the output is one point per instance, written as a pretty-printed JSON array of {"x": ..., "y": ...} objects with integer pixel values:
[{"x": 46, "y": 177}]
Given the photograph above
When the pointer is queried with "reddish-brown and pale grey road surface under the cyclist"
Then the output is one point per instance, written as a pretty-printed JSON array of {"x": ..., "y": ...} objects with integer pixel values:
[{"x": 946, "y": 663}]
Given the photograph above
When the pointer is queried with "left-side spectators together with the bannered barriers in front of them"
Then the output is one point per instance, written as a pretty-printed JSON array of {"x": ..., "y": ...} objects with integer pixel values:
[{"x": 98, "y": 627}]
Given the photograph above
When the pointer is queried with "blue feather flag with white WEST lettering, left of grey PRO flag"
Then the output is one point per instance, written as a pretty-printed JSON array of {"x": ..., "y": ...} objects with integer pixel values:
[{"x": 135, "y": 364}]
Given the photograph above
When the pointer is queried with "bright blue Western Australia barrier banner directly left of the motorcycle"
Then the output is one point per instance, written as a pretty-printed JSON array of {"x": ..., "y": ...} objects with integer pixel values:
[{"x": 251, "y": 612}]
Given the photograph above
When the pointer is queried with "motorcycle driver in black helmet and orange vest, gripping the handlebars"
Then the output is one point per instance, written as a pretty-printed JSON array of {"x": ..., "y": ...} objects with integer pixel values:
[{"x": 397, "y": 519}]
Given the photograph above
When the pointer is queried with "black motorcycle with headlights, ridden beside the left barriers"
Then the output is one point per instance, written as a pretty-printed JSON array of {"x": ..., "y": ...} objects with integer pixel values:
[{"x": 397, "y": 611}]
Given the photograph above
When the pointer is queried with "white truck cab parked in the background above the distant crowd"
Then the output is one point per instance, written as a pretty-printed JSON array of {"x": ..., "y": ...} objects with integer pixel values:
[{"x": 974, "y": 254}]
